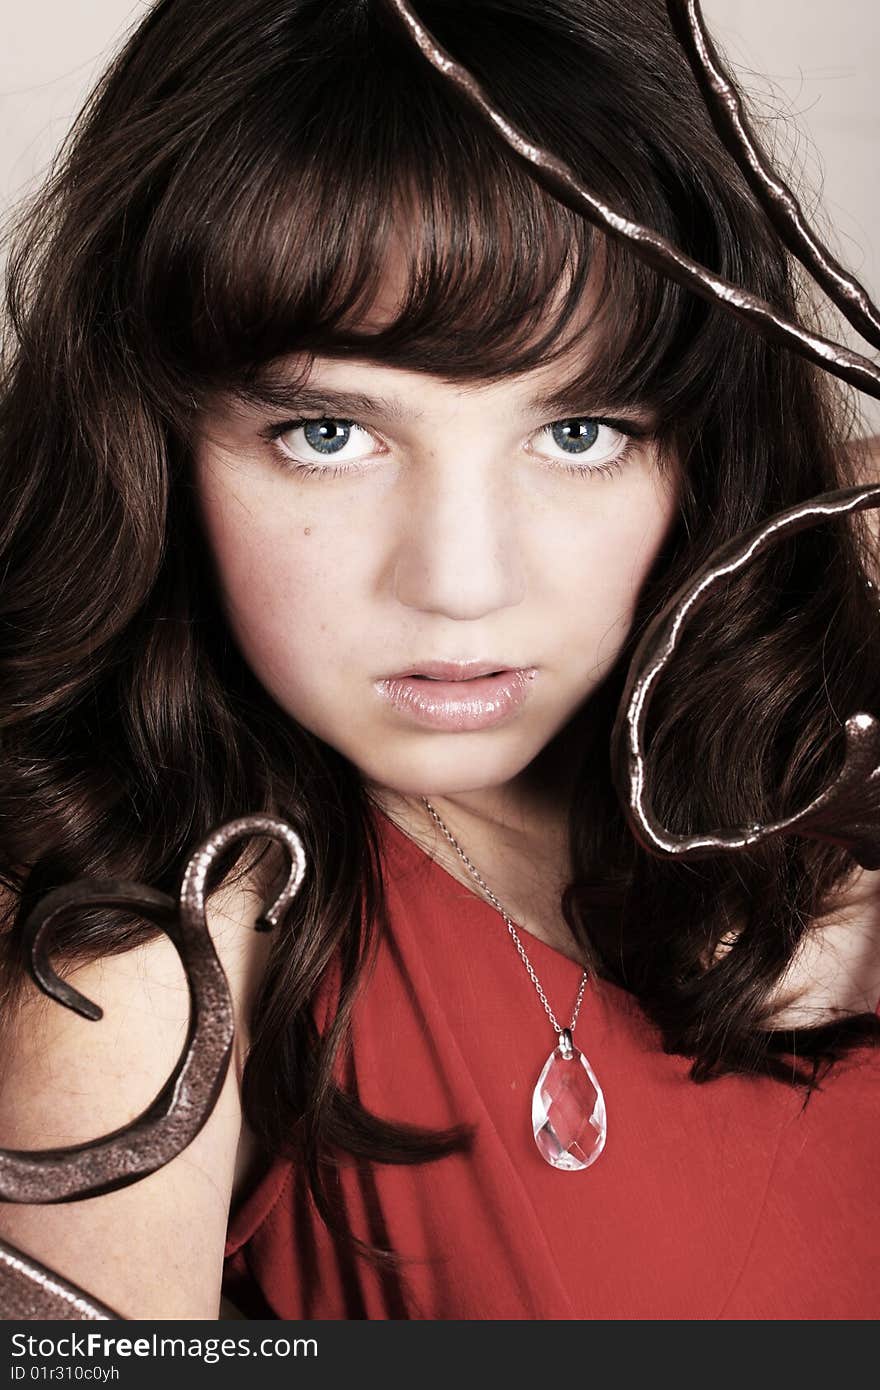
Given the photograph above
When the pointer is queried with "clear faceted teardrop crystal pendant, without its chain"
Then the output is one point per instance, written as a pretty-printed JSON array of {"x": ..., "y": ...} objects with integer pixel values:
[{"x": 568, "y": 1110}]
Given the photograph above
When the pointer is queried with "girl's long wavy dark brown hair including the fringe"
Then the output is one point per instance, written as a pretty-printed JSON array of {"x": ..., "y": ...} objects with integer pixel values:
[{"x": 227, "y": 198}]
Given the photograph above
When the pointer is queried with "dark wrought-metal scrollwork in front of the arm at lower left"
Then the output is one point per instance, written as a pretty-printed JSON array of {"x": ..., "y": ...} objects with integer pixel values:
[{"x": 188, "y": 1097}]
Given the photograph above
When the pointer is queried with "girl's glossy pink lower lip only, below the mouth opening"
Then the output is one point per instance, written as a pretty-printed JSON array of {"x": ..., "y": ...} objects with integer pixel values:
[{"x": 459, "y": 705}]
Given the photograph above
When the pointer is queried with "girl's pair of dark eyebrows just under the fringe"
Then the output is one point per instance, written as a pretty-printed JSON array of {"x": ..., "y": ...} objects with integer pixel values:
[{"x": 334, "y": 404}]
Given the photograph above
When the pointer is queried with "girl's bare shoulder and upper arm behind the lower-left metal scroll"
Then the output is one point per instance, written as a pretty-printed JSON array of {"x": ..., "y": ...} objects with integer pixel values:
[{"x": 152, "y": 1250}]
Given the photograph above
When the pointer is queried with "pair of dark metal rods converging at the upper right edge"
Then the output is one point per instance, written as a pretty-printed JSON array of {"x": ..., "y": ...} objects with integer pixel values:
[{"x": 657, "y": 251}]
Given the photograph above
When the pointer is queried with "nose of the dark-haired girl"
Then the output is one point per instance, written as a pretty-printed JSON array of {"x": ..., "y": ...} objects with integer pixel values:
[{"x": 458, "y": 548}]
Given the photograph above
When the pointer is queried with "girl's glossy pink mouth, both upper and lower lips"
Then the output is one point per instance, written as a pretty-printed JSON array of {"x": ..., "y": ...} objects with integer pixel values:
[{"x": 458, "y": 696}]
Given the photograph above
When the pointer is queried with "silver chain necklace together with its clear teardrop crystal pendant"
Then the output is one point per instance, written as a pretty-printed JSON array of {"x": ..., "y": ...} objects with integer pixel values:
[{"x": 568, "y": 1109}]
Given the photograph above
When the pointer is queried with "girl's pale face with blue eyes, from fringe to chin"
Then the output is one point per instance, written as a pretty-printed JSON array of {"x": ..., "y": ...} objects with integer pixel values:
[{"x": 414, "y": 536}]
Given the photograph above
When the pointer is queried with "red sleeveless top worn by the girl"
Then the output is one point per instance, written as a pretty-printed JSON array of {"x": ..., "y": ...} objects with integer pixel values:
[{"x": 708, "y": 1202}]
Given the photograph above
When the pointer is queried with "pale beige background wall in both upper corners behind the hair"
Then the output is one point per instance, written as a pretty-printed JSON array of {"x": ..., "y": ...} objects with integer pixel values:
[{"x": 808, "y": 65}]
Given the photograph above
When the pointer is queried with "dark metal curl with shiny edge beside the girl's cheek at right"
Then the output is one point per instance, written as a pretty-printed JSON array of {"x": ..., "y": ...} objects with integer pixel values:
[{"x": 838, "y": 814}]
